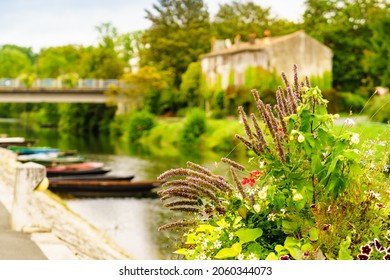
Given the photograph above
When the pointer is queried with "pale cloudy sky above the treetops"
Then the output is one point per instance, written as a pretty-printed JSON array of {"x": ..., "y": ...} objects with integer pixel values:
[{"x": 44, "y": 23}]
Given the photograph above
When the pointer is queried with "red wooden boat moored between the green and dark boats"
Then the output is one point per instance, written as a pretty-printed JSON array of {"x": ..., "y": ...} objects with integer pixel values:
[{"x": 77, "y": 169}]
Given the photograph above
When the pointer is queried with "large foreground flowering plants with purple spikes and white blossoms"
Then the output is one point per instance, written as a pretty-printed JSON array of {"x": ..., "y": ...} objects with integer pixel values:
[{"x": 310, "y": 192}]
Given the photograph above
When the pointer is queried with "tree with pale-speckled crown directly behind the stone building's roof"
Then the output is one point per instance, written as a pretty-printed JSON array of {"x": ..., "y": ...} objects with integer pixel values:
[{"x": 248, "y": 18}]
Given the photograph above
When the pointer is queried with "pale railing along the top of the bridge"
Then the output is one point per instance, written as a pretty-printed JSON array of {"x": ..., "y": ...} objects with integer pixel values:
[{"x": 60, "y": 83}]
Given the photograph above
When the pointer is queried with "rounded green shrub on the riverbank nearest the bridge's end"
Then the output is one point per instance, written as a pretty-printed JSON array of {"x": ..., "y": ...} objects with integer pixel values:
[{"x": 140, "y": 122}]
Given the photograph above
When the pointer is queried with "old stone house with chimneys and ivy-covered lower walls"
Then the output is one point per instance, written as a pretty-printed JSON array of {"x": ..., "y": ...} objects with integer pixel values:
[{"x": 228, "y": 63}]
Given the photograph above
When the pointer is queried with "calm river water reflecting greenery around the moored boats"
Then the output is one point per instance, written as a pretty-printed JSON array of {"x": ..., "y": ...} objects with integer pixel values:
[{"x": 131, "y": 222}]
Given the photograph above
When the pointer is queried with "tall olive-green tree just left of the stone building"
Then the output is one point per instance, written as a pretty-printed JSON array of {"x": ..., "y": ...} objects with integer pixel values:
[{"x": 180, "y": 32}]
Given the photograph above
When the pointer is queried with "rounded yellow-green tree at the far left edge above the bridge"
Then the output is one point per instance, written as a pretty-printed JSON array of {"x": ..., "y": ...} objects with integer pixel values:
[{"x": 13, "y": 62}]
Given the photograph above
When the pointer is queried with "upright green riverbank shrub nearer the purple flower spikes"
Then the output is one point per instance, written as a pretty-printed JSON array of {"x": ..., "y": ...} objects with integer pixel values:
[{"x": 194, "y": 127}]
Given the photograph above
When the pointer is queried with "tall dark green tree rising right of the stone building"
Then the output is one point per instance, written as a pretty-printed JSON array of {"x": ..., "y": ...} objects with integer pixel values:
[{"x": 343, "y": 26}]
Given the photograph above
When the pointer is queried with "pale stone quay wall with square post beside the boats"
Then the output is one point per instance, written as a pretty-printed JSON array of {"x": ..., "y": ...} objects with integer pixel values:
[{"x": 36, "y": 210}]
